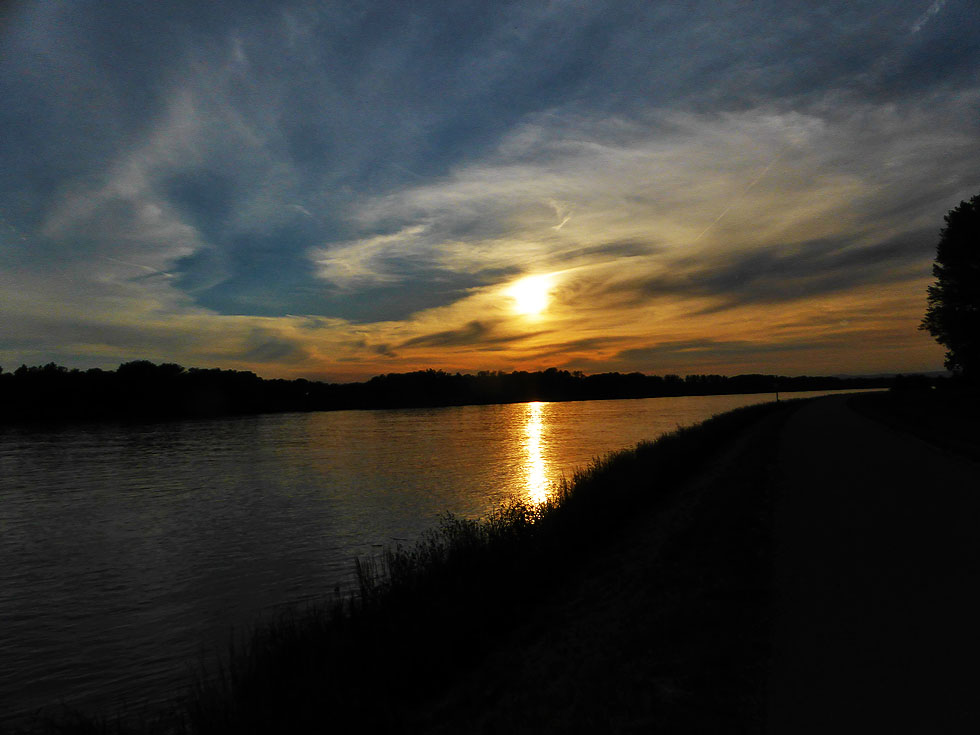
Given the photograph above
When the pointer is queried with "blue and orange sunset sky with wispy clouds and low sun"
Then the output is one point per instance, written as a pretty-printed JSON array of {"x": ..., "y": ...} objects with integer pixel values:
[{"x": 336, "y": 190}]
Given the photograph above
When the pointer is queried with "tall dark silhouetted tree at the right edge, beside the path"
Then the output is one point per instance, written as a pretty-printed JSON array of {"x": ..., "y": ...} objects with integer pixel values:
[{"x": 953, "y": 315}]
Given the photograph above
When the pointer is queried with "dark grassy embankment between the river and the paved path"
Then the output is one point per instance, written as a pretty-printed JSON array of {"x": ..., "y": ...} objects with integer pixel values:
[{"x": 636, "y": 597}]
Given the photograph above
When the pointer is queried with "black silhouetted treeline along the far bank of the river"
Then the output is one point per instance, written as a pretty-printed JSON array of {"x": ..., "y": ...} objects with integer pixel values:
[{"x": 142, "y": 389}]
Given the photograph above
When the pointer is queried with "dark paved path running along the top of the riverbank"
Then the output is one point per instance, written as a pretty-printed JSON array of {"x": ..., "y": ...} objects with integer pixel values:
[{"x": 877, "y": 623}]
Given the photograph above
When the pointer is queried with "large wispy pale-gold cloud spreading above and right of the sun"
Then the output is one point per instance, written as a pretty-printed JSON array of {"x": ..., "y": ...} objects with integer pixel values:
[{"x": 760, "y": 206}]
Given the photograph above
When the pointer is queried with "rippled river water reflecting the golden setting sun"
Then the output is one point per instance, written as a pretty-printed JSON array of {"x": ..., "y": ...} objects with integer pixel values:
[{"x": 128, "y": 551}]
